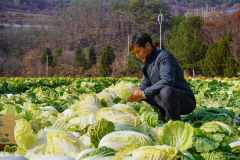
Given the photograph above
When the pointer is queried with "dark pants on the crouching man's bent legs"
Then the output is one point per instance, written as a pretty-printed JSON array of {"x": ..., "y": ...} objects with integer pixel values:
[{"x": 173, "y": 103}]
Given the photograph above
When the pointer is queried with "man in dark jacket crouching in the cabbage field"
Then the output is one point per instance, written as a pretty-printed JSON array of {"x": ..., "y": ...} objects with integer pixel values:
[{"x": 163, "y": 84}]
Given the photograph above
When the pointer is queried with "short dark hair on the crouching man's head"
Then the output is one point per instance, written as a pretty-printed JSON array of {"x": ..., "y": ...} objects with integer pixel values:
[{"x": 140, "y": 38}]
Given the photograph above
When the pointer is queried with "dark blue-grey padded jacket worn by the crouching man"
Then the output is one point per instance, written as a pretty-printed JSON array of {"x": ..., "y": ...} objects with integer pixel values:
[{"x": 162, "y": 69}]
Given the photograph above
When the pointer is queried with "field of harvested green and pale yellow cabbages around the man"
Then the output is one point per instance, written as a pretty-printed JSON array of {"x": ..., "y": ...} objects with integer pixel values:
[{"x": 89, "y": 119}]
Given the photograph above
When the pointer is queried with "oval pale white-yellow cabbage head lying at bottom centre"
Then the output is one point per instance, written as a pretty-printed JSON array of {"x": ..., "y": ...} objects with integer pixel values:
[{"x": 125, "y": 141}]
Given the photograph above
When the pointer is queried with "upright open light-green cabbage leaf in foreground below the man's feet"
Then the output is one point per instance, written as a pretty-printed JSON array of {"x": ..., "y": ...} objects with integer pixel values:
[{"x": 177, "y": 134}]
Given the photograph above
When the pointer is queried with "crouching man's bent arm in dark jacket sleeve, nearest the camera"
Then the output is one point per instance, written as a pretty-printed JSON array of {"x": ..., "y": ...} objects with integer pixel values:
[{"x": 167, "y": 71}]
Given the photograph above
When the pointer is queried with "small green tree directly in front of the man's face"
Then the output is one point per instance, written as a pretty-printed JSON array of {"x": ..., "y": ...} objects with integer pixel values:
[{"x": 133, "y": 63}]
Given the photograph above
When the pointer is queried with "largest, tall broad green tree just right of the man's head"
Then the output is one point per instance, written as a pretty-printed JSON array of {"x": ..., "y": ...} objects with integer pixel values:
[{"x": 185, "y": 42}]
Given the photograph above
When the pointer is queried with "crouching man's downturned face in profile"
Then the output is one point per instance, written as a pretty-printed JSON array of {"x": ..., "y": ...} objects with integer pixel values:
[{"x": 142, "y": 52}]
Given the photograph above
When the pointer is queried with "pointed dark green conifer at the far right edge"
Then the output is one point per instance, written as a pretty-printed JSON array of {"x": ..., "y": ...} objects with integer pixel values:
[{"x": 218, "y": 60}]
